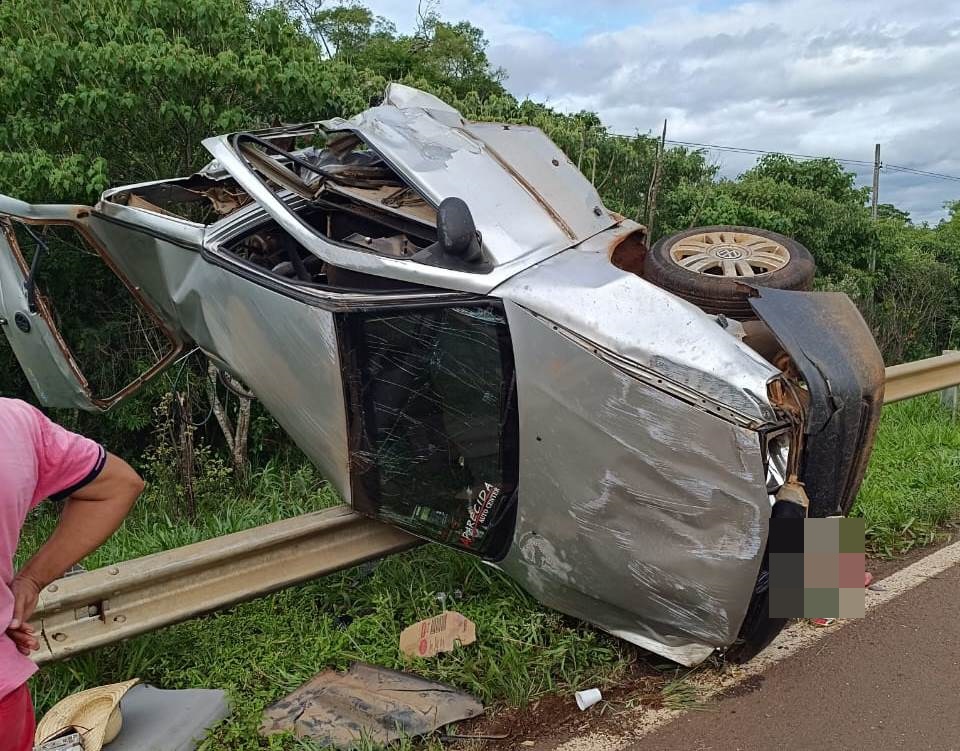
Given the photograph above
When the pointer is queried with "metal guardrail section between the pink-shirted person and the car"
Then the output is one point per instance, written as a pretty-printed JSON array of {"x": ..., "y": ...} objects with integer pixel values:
[{"x": 116, "y": 602}]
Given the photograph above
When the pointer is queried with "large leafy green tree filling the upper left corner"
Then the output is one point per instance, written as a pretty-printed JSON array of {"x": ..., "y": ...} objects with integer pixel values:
[{"x": 102, "y": 93}]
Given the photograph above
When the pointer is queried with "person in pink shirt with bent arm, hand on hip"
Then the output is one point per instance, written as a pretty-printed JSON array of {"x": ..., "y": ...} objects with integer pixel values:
[{"x": 38, "y": 460}]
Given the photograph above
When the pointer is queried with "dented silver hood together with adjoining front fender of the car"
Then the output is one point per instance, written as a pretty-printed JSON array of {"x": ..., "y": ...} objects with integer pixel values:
[{"x": 642, "y": 475}]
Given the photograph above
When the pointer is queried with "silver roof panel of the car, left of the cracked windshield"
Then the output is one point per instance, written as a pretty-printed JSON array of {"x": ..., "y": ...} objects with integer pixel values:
[{"x": 282, "y": 348}]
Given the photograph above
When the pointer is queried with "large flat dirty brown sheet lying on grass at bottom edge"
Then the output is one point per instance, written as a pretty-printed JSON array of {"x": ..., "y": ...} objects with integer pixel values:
[{"x": 367, "y": 703}]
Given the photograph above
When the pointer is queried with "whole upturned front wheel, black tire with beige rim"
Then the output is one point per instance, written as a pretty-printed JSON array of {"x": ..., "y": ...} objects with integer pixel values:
[{"x": 716, "y": 278}]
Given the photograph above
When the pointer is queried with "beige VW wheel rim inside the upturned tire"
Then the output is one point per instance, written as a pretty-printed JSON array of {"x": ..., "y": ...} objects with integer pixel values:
[{"x": 729, "y": 254}]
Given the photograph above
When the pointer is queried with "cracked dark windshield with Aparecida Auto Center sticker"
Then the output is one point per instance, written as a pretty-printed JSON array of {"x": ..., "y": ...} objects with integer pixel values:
[{"x": 433, "y": 422}]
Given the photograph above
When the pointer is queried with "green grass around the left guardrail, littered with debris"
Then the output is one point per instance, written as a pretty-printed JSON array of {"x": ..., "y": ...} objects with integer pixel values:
[{"x": 260, "y": 651}]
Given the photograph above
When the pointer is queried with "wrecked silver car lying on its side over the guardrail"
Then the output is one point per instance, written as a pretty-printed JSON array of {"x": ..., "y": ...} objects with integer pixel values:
[{"x": 446, "y": 319}]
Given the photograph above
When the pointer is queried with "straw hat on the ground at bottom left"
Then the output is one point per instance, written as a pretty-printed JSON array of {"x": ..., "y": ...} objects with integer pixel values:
[{"x": 94, "y": 714}]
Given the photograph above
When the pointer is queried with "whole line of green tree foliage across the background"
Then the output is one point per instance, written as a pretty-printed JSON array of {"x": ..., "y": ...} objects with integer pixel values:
[{"x": 107, "y": 92}]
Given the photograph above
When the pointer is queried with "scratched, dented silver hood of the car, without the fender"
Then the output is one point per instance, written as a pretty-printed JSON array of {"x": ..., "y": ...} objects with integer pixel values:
[{"x": 640, "y": 513}]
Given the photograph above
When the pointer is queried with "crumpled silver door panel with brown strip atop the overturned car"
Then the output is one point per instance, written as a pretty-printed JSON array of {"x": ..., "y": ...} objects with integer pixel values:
[{"x": 525, "y": 195}]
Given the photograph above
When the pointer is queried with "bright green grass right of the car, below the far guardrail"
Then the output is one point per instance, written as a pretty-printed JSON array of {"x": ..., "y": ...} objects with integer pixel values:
[{"x": 912, "y": 488}]
